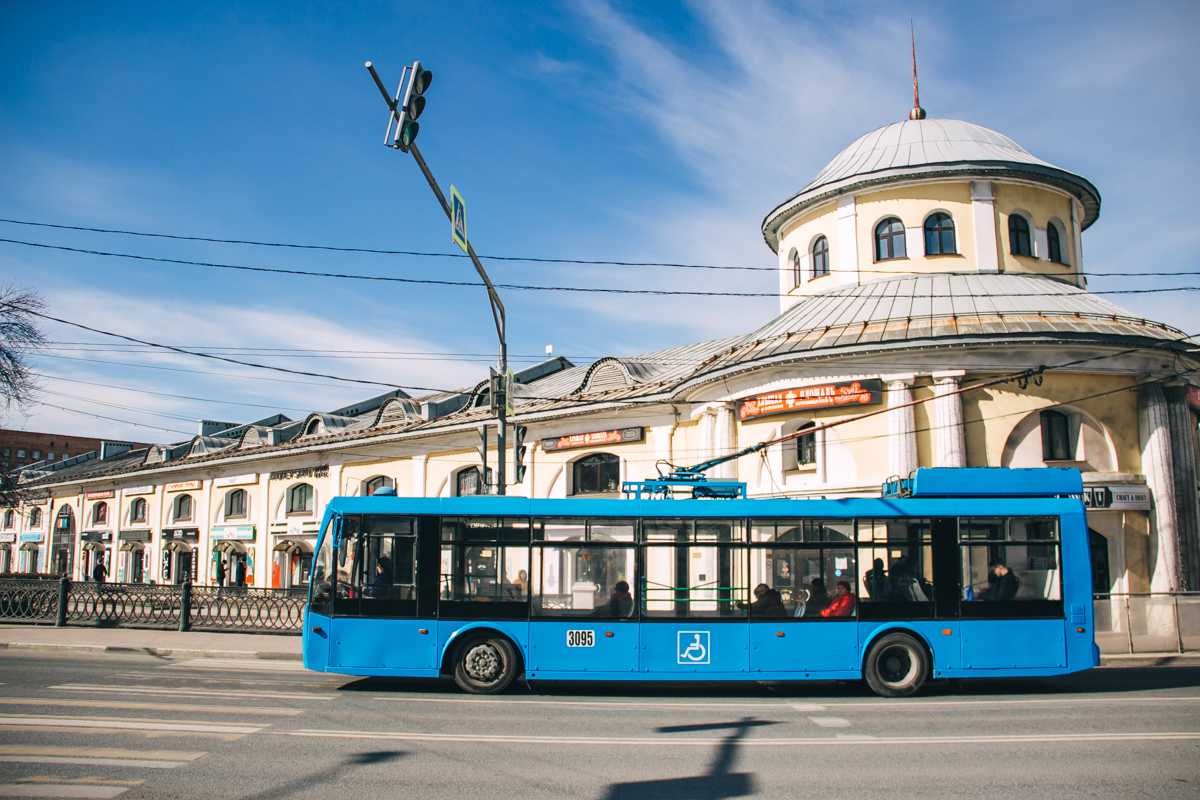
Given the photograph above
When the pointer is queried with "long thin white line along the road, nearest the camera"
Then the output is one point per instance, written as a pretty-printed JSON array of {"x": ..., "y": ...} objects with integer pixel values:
[{"x": 664, "y": 742}]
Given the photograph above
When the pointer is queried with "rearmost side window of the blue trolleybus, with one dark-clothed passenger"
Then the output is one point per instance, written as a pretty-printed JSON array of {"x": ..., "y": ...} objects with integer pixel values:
[{"x": 1011, "y": 567}]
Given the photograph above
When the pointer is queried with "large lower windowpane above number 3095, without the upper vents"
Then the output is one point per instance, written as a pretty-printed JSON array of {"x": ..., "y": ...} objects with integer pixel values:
[{"x": 585, "y": 581}]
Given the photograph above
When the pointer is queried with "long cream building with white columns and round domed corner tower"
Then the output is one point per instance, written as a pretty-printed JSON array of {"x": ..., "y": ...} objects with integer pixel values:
[{"x": 927, "y": 258}]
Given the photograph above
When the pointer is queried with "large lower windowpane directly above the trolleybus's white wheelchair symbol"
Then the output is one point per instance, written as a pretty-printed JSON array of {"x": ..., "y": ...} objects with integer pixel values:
[{"x": 693, "y": 581}]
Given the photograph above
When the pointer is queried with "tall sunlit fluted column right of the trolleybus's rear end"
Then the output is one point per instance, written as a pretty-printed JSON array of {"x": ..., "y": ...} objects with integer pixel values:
[{"x": 1154, "y": 430}]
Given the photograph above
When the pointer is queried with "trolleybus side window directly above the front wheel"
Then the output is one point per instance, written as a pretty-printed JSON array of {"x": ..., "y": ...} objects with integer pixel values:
[{"x": 485, "y": 560}]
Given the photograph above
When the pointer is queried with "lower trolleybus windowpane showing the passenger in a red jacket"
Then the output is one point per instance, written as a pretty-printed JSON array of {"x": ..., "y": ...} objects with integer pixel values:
[{"x": 813, "y": 584}]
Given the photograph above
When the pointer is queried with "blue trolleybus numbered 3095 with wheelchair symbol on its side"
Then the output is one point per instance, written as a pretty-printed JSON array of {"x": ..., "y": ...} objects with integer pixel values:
[{"x": 956, "y": 574}]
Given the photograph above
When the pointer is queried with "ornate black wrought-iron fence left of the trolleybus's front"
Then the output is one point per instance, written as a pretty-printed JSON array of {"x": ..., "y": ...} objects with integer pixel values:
[{"x": 139, "y": 605}]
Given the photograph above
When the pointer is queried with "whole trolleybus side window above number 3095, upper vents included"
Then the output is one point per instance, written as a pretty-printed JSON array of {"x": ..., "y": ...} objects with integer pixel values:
[{"x": 585, "y": 568}]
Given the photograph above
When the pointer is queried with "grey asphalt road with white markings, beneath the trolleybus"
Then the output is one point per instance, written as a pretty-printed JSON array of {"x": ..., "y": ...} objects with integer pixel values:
[{"x": 127, "y": 726}]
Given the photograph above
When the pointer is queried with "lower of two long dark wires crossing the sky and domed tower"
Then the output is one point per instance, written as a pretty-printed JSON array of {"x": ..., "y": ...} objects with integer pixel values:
[{"x": 515, "y": 287}]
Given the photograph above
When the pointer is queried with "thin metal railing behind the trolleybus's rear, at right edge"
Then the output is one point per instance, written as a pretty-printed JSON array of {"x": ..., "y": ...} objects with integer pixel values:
[{"x": 1148, "y": 623}]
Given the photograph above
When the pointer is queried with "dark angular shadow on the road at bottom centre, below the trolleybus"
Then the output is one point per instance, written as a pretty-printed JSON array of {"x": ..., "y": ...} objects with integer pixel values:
[{"x": 718, "y": 783}]
